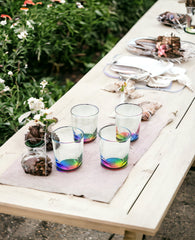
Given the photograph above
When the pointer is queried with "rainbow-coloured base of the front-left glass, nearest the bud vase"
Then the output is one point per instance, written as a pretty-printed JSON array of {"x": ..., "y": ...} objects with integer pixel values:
[{"x": 68, "y": 164}]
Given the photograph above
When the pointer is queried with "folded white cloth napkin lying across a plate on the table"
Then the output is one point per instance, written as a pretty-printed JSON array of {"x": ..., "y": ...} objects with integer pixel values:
[{"x": 157, "y": 74}]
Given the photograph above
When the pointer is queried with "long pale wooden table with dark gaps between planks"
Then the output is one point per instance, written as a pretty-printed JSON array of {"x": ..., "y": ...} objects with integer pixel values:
[{"x": 141, "y": 204}]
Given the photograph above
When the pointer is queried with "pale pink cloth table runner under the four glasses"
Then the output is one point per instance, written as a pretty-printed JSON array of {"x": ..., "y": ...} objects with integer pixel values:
[{"x": 91, "y": 180}]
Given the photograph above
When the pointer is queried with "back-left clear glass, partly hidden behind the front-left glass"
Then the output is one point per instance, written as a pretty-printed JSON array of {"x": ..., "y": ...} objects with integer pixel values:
[{"x": 85, "y": 117}]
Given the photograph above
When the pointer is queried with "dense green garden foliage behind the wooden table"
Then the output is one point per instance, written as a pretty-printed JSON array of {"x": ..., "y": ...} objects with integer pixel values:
[{"x": 61, "y": 39}]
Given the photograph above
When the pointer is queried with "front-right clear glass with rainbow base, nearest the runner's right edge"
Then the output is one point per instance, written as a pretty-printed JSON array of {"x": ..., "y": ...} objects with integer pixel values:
[{"x": 114, "y": 146}]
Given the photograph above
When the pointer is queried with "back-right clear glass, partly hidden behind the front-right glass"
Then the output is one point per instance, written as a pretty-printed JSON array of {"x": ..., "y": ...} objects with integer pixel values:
[{"x": 129, "y": 115}]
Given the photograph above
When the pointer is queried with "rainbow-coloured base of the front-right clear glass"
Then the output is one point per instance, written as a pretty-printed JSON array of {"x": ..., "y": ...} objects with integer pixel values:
[{"x": 114, "y": 163}]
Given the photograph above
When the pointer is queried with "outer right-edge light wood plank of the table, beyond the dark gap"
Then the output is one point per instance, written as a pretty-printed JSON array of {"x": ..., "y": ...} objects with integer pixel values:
[{"x": 161, "y": 190}]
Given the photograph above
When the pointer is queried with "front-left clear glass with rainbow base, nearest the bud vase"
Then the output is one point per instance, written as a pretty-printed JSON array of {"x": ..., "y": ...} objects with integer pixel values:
[{"x": 68, "y": 147}]
